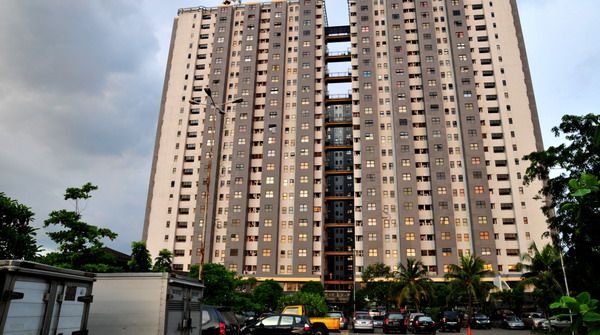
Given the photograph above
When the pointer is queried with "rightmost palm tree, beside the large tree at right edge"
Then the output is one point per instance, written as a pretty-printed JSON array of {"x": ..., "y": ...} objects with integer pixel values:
[{"x": 540, "y": 269}]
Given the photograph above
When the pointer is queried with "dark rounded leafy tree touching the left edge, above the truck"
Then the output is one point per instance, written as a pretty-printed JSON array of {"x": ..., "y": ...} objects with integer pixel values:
[{"x": 17, "y": 236}]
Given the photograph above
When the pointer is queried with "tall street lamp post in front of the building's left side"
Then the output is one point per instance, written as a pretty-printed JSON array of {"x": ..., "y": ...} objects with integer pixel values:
[{"x": 215, "y": 108}]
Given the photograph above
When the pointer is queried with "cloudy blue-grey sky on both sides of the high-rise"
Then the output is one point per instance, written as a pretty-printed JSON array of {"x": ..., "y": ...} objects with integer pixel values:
[{"x": 80, "y": 85}]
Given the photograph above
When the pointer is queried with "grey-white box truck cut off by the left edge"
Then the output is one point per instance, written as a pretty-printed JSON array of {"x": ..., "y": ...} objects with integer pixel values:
[{"x": 39, "y": 299}]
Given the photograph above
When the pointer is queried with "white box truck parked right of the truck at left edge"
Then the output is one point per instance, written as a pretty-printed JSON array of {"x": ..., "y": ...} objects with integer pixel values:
[{"x": 145, "y": 303}]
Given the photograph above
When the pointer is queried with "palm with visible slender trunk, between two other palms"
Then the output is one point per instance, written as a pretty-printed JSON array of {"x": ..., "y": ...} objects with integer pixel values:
[{"x": 467, "y": 277}]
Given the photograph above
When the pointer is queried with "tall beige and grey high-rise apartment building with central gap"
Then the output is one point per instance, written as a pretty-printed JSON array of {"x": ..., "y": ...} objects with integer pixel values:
[{"x": 417, "y": 156}]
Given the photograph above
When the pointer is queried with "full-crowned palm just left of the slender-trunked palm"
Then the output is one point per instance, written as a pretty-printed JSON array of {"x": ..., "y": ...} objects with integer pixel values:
[{"x": 412, "y": 282}]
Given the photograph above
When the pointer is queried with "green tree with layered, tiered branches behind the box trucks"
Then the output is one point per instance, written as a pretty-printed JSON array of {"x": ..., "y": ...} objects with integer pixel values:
[{"x": 79, "y": 243}]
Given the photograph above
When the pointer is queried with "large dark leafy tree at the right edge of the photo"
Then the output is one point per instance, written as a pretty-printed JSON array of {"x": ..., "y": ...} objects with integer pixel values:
[{"x": 573, "y": 221}]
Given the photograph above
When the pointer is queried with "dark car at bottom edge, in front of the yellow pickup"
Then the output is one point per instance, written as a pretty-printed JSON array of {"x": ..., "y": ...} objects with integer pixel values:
[{"x": 279, "y": 324}]
